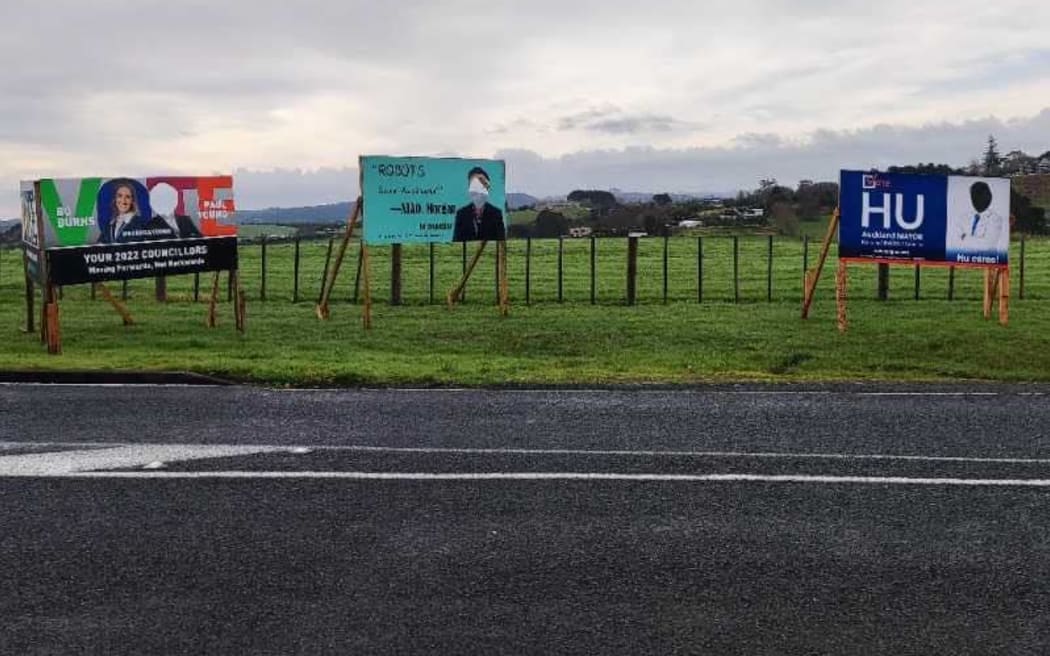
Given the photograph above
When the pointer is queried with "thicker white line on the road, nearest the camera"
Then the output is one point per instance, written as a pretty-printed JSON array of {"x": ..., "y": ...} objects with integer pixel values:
[{"x": 640, "y": 478}]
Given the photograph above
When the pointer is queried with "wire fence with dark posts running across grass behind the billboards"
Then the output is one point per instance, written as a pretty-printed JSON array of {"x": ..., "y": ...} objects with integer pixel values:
[{"x": 593, "y": 271}]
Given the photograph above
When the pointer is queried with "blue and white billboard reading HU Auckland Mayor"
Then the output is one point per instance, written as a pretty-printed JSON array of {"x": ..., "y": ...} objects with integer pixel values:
[{"x": 938, "y": 219}]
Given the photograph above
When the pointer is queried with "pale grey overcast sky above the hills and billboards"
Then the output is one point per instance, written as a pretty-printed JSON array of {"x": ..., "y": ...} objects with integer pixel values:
[{"x": 658, "y": 96}]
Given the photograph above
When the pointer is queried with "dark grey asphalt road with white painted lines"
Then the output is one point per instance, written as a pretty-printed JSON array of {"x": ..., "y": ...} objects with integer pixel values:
[{"x": 837, "y": 520}]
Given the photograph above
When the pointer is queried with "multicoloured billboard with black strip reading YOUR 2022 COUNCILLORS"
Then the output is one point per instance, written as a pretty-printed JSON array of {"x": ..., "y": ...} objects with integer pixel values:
[{"x": 97, "y": 229}]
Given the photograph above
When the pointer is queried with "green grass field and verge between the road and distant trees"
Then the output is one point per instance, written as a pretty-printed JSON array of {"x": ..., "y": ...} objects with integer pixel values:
[{"x": 551, "y": 343}]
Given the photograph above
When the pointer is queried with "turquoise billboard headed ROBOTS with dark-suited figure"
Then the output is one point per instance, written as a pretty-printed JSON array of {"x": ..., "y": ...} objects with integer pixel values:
[{"x": 429, "y": 200}]
